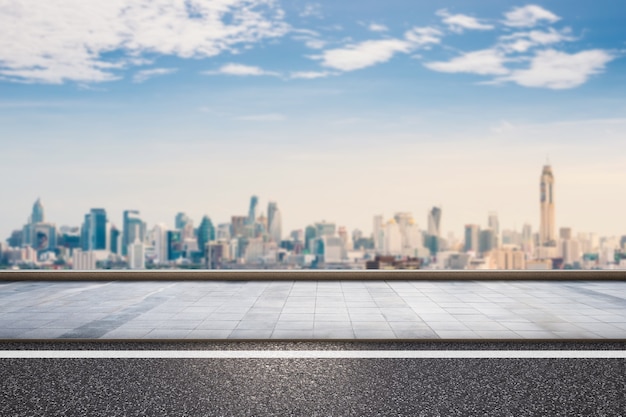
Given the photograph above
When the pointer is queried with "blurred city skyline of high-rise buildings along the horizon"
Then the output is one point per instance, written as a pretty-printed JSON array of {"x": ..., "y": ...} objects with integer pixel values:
[{"x": 256, "y": 241}]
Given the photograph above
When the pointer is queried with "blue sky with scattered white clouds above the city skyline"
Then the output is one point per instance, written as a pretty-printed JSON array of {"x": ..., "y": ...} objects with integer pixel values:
[{"x": 336, "y": 110}]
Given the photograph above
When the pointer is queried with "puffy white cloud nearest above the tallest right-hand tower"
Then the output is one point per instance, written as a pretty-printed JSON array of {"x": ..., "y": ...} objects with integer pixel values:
[{"x": 559, "y": 70}]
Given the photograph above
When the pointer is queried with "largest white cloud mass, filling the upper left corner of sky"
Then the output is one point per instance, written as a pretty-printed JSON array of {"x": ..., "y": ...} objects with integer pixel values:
[{"x": 53, "y": 42}]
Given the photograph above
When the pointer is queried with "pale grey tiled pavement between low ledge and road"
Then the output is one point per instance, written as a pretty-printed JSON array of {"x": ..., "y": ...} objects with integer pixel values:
[{"x": 313, "y": 310}]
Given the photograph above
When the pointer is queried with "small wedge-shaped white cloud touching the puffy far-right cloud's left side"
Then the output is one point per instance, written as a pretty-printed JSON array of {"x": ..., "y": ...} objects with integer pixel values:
[{"x": 485, "y": 62}]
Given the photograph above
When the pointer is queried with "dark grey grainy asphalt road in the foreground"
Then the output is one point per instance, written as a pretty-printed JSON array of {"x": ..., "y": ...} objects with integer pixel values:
[{"x": 312, "y": 387}]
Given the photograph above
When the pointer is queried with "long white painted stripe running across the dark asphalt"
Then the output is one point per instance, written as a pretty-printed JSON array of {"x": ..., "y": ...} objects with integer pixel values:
[{"x": 313, "y": 354}]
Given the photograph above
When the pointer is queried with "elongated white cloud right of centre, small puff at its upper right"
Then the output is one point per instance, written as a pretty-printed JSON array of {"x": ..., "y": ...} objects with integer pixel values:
[{"x": 368, "y": 53}]
